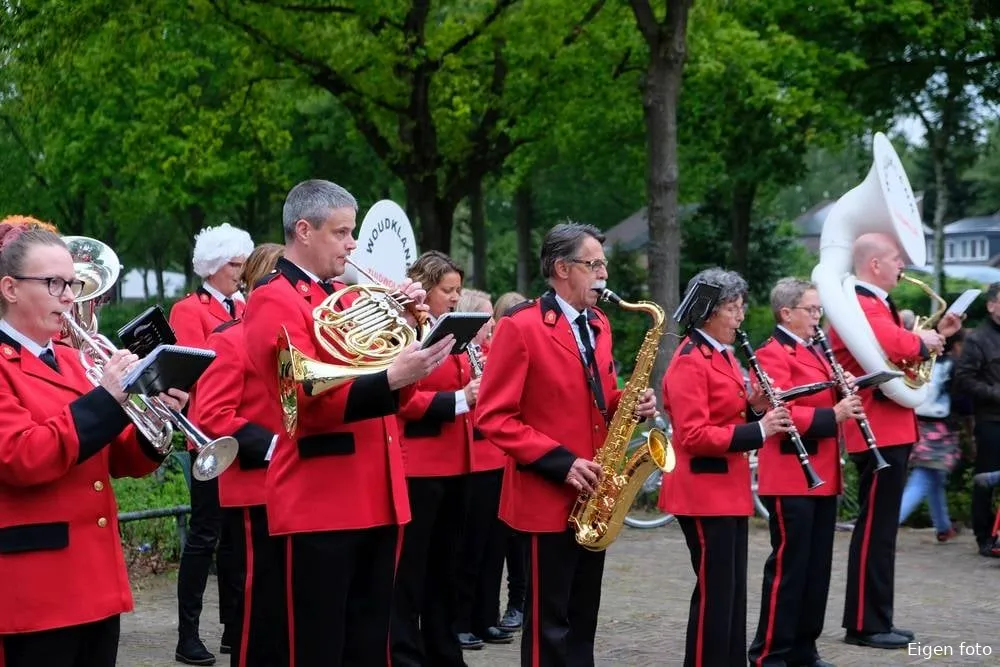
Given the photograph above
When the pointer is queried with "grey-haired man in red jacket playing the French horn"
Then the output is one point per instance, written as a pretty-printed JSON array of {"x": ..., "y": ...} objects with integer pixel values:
[{"x": 335, "y": 490}]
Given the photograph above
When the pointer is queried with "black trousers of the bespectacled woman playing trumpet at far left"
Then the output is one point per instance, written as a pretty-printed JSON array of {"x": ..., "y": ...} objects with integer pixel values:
[{"x": 86, "y": 645}]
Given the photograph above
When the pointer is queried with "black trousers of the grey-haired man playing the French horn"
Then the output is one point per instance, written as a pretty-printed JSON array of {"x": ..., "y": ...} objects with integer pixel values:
[{"x": 340, "y": 594}]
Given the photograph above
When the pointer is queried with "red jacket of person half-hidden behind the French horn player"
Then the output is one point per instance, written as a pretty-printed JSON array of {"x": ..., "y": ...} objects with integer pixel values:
[{"x": 227, "y": 392}]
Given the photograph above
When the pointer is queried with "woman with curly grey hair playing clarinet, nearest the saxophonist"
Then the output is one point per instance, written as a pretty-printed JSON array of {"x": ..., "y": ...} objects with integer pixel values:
[{"x": 709, "y": 488}]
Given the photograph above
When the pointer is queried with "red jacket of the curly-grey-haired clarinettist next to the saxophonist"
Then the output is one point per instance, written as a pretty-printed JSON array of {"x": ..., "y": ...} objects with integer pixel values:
[{"x": 705, "y": 396}]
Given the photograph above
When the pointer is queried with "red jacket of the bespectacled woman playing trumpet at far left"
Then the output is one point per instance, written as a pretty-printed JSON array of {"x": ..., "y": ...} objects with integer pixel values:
[{"x": 61, "y": 560}]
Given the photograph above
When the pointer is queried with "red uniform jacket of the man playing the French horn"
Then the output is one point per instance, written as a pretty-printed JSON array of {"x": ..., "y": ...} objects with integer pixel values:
[{"x": 344, "y": 468}]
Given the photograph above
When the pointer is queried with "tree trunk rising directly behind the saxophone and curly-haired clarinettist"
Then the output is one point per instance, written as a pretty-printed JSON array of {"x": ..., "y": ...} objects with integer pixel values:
[{"x": 667, "y": 52}]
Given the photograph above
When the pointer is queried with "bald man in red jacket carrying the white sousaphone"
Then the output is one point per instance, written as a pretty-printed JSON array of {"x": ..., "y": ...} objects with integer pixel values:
[{"x": 871, "y": 563}]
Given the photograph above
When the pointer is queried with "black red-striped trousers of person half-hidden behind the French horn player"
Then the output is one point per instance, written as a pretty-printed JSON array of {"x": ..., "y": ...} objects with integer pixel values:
[{"x": 260, "y": 625}]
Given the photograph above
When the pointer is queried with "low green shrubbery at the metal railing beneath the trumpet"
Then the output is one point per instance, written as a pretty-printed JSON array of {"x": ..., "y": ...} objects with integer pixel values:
[{"x": 153, "y": 541}]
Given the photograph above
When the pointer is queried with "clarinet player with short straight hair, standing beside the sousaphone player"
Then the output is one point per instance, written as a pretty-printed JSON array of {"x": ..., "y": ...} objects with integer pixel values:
[{"x": 802, "y": 520}]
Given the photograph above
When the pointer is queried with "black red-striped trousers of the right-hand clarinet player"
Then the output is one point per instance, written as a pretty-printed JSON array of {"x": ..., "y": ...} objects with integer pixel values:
[{"x": 796, "y": 580}]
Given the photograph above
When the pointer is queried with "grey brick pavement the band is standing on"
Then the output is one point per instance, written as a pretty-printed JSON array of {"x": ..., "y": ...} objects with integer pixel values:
[{"x": 946, "y": 593}]
